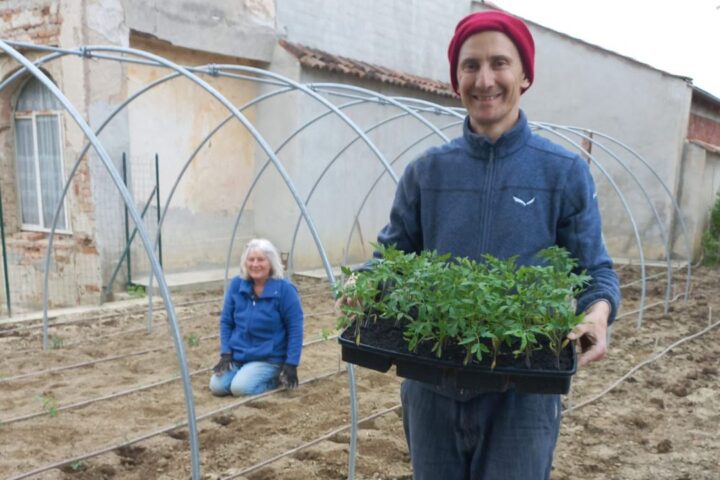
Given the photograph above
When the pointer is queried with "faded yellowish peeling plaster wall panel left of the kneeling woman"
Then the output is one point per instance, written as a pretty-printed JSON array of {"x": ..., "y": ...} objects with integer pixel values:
[{"x": 173, "y": 120}]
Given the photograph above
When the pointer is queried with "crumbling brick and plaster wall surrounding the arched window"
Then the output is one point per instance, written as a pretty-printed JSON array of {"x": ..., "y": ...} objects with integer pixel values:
[{"x": 74, "y": 273}]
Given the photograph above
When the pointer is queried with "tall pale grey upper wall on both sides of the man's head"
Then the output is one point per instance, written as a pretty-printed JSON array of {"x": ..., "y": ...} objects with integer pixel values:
[{"x": 575, "y": 84}]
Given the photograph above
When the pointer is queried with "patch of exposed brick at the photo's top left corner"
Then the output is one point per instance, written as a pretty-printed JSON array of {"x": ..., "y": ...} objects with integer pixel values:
[{"x": 36, "y": 21}]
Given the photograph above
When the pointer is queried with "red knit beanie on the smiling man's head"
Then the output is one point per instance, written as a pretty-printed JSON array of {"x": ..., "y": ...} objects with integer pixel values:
[{"x": 499, "y": 21}]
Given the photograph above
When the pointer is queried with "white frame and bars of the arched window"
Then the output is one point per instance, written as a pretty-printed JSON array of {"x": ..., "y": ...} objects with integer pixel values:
[{"x": 32, "y": 115}]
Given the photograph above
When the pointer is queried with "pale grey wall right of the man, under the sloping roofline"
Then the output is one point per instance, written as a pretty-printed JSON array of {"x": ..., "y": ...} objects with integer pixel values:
[{"x": 581, "y": 85}]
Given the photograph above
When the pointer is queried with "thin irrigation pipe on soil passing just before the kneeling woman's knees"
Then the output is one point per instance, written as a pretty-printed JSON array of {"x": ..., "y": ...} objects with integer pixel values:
[{"x": 164, "y": 430}]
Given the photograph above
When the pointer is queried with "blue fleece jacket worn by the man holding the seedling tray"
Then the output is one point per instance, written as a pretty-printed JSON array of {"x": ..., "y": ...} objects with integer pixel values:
[{"x": 516, "y": 196}]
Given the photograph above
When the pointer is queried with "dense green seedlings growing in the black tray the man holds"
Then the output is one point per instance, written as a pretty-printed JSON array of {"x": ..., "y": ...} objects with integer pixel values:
[{"x": 482, "y": 306}]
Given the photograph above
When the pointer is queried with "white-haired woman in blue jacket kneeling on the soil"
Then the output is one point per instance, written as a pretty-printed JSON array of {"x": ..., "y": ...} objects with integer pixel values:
[{"x": 261, "y": 327}]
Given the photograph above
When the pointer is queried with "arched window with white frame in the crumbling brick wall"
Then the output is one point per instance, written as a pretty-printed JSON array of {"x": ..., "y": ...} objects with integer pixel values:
[{"x": 39, "y": 157}]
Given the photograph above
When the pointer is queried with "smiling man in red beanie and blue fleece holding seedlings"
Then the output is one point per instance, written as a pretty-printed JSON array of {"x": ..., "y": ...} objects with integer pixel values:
[{"x": 502, "y": 190}]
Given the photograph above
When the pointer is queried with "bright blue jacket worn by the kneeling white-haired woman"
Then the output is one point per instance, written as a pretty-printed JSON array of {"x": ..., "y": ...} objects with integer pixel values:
[{"x": 267, "y": 328}]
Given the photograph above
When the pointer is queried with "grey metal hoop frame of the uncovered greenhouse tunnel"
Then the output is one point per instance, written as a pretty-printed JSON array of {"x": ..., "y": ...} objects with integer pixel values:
[{"x": 407, "y": 107}]
